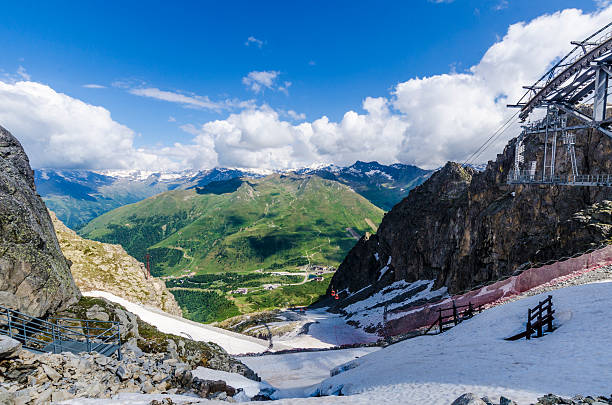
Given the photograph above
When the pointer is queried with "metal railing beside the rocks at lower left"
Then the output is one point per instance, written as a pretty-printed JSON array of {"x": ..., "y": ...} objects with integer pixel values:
[{"x": 58, "y": 335}]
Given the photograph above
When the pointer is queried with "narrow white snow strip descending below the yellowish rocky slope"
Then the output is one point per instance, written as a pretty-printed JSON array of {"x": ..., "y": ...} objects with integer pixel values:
[{"x": 233, "y": 343}]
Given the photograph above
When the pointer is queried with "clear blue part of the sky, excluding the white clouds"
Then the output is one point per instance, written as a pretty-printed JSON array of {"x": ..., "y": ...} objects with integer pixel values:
[{"x": 324, "y": 58}]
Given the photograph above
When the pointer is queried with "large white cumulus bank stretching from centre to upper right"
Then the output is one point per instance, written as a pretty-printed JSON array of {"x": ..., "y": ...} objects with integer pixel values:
[{"x": 424, "y": 121}]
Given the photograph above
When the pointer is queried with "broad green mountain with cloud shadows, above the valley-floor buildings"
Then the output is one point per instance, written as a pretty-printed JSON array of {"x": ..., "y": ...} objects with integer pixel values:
[{"x": 277, "y": 222}]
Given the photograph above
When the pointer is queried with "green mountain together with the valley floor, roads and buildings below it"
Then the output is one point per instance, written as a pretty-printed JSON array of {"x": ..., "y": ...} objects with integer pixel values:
[{"x": 242, "y": 245}]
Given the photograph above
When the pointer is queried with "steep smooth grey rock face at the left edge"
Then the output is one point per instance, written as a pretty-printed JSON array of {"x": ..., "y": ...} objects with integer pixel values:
[{"x": 34, "y": 275}]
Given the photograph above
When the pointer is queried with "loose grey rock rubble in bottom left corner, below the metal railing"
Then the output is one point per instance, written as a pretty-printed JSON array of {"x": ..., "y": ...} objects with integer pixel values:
[{"x": 27, "y": 378}]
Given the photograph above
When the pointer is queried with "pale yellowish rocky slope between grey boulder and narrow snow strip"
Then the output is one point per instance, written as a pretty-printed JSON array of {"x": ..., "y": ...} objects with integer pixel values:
[{"x": 100, "y": 266}]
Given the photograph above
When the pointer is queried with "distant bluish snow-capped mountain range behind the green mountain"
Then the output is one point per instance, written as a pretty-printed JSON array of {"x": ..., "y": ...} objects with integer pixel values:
[{"x": 78, "y": 196}]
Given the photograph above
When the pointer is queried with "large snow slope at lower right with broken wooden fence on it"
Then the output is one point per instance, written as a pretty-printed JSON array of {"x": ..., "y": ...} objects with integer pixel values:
[{"x": 574, "y": 359}]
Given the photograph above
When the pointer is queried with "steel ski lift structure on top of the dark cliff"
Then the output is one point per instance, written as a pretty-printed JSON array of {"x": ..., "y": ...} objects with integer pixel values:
[{"x": 574, "y": 90}]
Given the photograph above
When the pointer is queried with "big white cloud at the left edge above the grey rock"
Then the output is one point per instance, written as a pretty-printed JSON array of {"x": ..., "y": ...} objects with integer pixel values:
[{"x": 57, "y": 130}]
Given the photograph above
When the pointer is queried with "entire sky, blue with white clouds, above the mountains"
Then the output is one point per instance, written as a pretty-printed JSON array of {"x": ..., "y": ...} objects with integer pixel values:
[{"x": 275, "y": 84}]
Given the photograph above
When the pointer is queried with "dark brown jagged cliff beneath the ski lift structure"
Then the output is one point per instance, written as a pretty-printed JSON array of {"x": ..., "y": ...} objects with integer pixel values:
[{"x": 463, "y": 228}]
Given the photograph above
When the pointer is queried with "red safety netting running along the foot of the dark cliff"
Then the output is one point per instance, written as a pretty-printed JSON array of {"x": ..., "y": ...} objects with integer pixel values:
[{"x": 423, "y": 316}]
